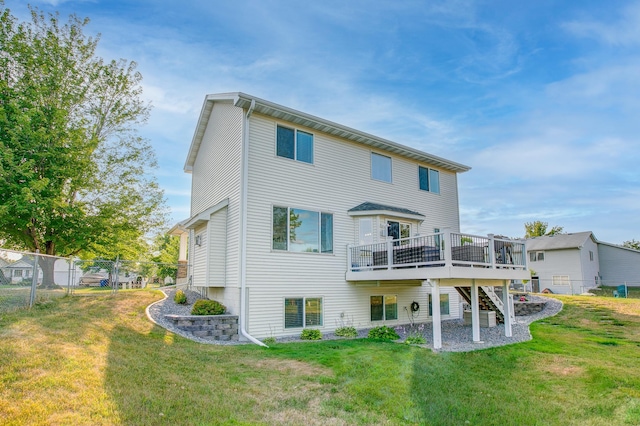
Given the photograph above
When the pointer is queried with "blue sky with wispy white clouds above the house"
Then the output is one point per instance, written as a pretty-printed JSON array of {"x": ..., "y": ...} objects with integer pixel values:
[{"x": 541, "y": 99}]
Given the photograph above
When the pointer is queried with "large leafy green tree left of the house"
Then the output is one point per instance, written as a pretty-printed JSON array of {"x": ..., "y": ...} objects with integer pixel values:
[{"x": 74, "y": 174}]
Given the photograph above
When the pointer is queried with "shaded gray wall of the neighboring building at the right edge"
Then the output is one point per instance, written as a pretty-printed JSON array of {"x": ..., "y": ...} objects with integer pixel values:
[{"x": 619, "y": 265}]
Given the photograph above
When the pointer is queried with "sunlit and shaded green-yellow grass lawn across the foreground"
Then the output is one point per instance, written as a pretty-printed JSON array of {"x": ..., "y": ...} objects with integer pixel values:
[{"x": 98, "y": 360}]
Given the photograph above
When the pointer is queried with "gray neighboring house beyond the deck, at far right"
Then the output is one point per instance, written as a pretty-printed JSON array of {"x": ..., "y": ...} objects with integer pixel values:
[{"x": 576, "y": 262}]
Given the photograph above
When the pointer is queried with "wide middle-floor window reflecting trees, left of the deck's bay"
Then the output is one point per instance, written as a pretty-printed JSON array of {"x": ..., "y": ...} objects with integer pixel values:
[{"x": 303, "y": 231}]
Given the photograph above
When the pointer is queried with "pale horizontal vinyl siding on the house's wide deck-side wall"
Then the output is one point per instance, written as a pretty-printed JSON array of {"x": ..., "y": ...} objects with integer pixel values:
[{"x": 339, "y": 180}]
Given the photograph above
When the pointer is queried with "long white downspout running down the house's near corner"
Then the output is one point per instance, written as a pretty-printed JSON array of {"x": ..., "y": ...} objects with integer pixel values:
[{"x": 244, "y": 185}]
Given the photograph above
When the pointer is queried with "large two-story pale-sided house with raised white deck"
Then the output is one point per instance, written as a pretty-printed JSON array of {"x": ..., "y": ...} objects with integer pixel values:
[{"x": 301, "y": 222}]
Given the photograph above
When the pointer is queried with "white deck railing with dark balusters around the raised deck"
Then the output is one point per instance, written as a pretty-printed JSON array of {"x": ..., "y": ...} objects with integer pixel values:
[{"x": 441, "y": 249}]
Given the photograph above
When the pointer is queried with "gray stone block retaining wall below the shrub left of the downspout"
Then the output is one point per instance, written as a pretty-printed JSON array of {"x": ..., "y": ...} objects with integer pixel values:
[{"x": 213, "y": 327}]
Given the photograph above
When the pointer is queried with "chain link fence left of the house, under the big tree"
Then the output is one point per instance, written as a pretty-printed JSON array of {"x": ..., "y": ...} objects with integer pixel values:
[{"x": 27, "y": 279}]
